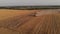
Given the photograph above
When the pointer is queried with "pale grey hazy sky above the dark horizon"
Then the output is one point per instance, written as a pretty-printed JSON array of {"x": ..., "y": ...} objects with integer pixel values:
[{"x": 28, "y": 2}]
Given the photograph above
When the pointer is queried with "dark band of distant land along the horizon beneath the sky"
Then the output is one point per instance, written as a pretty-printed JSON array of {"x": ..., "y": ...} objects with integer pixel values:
[{"x": 29, "y": 7}]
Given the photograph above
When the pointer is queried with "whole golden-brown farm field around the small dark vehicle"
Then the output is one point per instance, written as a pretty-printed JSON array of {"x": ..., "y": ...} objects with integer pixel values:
[{"x": 23, "y": 22}]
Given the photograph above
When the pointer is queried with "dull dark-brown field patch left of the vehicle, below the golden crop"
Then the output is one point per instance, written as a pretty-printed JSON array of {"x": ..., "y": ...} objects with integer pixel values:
[{"x": 15, "y": 22}]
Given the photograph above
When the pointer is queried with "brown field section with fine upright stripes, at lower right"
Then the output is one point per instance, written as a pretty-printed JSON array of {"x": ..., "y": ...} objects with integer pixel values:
[{"x": 48, "y": 26}]
